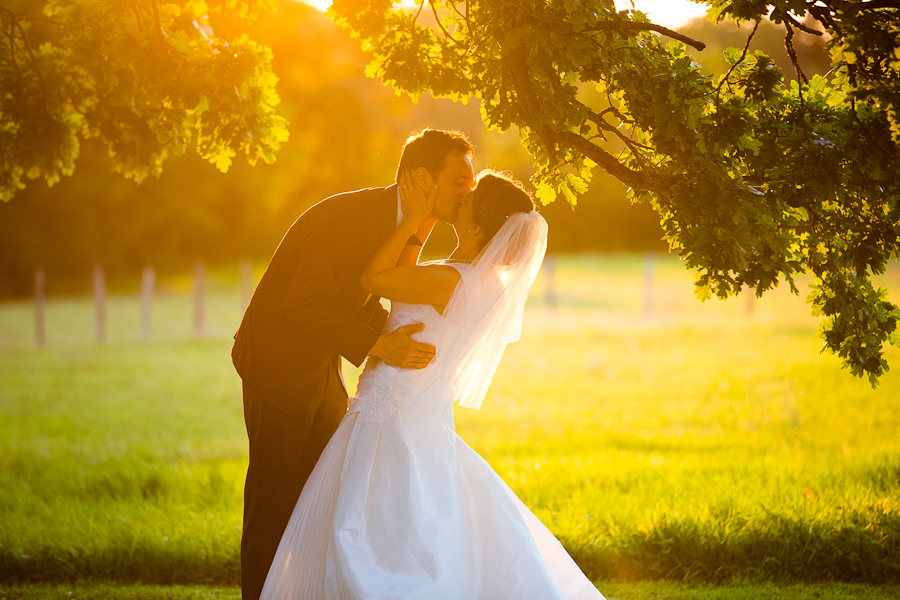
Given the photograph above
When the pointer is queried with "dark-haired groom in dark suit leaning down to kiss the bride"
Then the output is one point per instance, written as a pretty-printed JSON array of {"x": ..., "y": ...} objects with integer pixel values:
[{"x": 307, "y": 312}]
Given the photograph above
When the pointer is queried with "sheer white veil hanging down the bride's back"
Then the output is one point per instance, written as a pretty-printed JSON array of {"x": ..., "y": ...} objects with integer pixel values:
[{"x": 483, "y": 315}]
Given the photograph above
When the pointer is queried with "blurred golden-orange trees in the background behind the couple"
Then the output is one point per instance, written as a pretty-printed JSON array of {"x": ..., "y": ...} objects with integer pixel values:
[{"x": 346, "y": 132}]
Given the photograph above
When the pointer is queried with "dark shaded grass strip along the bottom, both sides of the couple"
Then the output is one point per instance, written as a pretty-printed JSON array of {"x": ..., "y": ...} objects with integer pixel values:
[{"x": 702, "y": 549}]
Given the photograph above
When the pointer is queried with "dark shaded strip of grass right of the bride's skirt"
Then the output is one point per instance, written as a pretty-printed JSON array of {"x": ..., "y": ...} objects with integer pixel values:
[{"x": 863, "y": 548}]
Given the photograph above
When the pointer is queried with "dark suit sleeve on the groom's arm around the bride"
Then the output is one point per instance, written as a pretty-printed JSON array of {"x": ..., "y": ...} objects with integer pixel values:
[{"x": 328, "y": 258}]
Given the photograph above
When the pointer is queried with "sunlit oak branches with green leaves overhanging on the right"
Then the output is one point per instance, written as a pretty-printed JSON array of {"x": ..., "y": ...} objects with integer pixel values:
[{"x": 754, "y": 181}]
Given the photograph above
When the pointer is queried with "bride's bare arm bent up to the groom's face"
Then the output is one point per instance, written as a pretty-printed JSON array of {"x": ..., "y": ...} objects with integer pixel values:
[{"x": 391, "y": 272}]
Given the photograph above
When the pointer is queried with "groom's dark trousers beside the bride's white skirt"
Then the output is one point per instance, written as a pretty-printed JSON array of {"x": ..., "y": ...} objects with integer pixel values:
[{"x": 284, "y": 449}]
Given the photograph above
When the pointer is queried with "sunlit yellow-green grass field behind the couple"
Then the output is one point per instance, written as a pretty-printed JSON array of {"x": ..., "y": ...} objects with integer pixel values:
[{"x": 711, "y": 445}]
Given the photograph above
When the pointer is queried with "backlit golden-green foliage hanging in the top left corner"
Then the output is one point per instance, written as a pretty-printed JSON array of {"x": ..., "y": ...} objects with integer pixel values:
[{"x": 149, "y": 79}]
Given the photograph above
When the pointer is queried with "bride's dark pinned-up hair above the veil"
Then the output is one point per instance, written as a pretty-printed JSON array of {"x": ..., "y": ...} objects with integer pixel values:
[{"x": 495, "y": 198}]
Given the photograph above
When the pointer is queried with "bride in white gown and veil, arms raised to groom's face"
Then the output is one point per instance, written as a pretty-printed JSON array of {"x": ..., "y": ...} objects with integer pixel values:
[{"x": 398, "y": 506}]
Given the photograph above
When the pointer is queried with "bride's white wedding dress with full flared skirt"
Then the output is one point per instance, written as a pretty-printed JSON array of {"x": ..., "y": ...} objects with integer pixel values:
[{"x": 399, "y": 507}]
